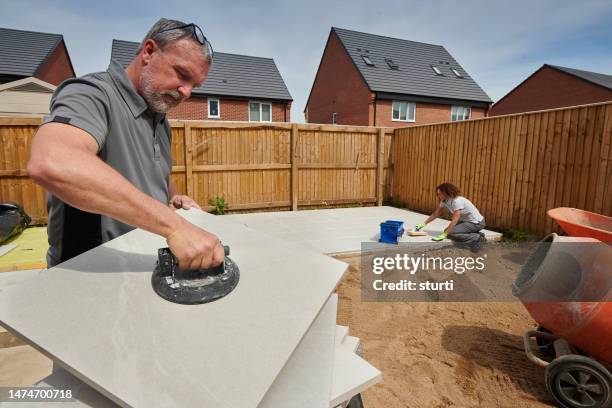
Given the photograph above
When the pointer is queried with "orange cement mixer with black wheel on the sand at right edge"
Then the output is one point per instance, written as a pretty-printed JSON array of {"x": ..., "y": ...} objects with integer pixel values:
[{"x": 566, "y": 285}]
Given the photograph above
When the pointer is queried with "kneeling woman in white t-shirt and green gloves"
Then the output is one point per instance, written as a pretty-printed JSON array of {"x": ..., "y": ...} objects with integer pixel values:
[{"x": 466, "y": 222}]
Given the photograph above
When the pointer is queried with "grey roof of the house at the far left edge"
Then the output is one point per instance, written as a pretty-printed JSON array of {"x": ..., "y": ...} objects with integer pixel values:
[{"x": 22, "y": 53}]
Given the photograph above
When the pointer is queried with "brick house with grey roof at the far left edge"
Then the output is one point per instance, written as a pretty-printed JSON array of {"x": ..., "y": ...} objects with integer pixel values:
[{"x": 26, "y": 54}]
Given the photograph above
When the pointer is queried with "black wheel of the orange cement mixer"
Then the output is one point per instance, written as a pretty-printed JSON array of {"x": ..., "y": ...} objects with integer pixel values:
[{"x": 576, "y": 381}]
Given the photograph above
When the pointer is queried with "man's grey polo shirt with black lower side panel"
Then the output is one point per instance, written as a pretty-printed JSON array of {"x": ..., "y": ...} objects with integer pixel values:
[{"x": 131, "y": 138}]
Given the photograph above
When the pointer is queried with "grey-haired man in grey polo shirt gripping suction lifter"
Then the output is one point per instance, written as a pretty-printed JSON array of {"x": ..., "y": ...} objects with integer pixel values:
[{"x": 104, "y": 152}]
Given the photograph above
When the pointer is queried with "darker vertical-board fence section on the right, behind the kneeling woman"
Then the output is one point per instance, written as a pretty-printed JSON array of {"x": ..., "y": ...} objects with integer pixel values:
[{"x": 515, "y": 167}]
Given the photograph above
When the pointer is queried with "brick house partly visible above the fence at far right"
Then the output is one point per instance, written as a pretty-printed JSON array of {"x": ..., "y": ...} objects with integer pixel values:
[{"x": 552, "y": 87}]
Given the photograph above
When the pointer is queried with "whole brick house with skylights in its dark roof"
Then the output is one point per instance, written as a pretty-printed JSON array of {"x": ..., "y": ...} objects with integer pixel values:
[{"x": 367, "y": 79}]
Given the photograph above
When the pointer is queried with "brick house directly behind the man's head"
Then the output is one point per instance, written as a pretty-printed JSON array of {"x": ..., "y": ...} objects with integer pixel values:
[{"x": 238, "y": 88}]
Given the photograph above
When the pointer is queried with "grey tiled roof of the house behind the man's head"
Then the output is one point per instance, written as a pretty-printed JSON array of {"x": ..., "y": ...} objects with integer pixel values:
[{"x": 229, "y": 75}]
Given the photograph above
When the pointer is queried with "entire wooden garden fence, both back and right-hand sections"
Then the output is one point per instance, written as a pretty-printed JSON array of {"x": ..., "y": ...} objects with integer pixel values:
[{"x": 514, "y": 168}]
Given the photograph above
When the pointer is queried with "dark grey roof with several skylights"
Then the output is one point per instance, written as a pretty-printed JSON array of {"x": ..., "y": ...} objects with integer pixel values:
[{"x": 414, "y": 74}]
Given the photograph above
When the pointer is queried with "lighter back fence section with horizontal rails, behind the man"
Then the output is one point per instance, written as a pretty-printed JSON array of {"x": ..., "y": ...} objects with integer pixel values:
[{"x": 251, "y": 166}]
